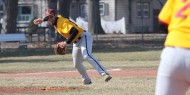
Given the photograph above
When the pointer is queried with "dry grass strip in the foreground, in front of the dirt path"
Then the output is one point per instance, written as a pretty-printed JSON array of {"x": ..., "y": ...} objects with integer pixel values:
[{"x": 118, "y": 86}]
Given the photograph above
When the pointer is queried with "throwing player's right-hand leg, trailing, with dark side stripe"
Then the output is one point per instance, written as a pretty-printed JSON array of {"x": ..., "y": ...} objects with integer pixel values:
[{"x": 86, "y": 46}]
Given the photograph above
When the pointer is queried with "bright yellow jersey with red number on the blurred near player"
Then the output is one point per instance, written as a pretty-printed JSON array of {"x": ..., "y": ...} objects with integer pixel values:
[{"x": 176, "y": 13}]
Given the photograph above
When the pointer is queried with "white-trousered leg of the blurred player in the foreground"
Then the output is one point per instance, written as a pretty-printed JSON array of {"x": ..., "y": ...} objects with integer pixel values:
[{"x": 171, "y": 79}]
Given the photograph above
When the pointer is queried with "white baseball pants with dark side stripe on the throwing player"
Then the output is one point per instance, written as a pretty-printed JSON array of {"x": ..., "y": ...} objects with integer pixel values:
[{"x": 82, "y": 50}]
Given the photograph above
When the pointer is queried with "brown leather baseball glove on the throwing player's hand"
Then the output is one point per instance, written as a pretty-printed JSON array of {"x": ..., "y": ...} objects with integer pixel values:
[{"x": 60, "y": 50}]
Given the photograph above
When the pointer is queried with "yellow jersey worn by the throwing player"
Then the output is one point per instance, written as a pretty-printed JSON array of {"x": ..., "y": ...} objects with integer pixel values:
[{"x": 64, "y": 26}]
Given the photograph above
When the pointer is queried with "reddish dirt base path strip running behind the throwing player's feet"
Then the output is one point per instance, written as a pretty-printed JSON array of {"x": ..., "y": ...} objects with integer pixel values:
[{"x": 113, "y": 72}]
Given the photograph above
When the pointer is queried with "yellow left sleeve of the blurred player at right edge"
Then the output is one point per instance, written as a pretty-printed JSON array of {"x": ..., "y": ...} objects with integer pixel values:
[{"x": 166, "y": 12}]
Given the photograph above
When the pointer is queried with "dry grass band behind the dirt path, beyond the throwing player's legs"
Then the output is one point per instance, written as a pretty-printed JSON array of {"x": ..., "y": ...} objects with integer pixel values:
[{"x": 50, "y": 62}]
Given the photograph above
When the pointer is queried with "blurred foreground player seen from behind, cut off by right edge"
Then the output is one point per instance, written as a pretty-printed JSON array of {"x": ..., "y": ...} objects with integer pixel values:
[{"x": 173, "y": 76}]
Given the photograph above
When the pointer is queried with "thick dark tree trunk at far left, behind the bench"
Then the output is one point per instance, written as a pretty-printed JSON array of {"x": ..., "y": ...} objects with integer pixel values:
[{"x": 9, "y": 16}]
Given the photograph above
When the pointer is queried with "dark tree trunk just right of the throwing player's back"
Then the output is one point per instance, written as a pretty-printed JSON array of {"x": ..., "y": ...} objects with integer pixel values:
[{"x": 94, "y": 21}]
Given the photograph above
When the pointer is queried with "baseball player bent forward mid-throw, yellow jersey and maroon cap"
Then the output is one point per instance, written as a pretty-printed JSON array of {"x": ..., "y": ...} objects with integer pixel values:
[{"x": 82, "y": 44}]
